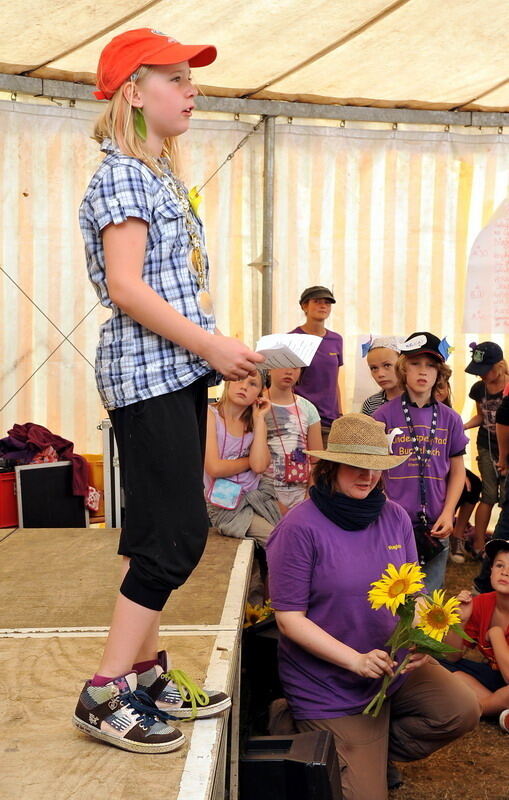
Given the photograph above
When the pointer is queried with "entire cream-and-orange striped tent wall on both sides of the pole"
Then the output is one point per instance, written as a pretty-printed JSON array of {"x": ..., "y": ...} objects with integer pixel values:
[{"x": 385, "y": 217}]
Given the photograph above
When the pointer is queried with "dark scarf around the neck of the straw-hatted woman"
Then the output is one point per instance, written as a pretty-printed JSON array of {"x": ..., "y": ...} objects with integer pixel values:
[{"x": 347, "y": 512}]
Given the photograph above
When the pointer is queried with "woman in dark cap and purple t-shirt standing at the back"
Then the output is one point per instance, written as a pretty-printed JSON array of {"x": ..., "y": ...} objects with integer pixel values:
[{"x": 319, "y": 382}]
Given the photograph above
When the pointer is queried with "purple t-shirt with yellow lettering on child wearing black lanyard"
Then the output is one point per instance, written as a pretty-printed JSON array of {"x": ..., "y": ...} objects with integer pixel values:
[{"x": 402, "y": 483}]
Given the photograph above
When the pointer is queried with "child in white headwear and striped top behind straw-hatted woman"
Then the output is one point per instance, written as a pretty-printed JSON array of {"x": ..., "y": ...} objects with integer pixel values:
[{"x": 382, "y": 354}]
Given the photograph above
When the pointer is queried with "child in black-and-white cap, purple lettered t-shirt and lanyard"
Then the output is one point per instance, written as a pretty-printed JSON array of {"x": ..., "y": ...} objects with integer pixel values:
[{"x": 430, "y": 483}]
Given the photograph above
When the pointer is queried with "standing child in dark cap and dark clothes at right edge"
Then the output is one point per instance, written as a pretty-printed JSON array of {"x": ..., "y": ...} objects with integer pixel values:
[{"x": 488, "y": 364}]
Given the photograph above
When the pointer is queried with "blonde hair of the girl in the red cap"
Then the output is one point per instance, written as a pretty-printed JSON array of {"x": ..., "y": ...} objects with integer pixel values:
[{"x": 117, "y": 123}]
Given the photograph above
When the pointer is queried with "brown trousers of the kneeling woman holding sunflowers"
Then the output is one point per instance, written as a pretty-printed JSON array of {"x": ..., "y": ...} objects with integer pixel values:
[{"x": 428, "y": 711}]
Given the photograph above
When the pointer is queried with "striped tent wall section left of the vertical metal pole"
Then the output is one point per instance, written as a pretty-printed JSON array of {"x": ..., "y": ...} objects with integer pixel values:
[{"x": 47, "y": 158}]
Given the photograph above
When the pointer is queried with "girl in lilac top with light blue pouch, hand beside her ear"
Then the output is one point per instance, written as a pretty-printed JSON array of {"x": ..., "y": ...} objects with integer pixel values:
[{"x": 239, "y": 501}]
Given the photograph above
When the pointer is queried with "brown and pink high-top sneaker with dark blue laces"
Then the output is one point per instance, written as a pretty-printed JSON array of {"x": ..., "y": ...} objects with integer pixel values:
[{"x": 125, "y": 717}]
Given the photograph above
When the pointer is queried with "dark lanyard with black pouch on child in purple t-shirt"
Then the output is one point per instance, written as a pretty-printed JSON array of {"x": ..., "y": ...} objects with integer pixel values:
[{"x": 427, "y": 546}]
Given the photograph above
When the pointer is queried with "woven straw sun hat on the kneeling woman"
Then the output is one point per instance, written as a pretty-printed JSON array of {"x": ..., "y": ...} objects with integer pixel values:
[{"x": 359, "y": 441}]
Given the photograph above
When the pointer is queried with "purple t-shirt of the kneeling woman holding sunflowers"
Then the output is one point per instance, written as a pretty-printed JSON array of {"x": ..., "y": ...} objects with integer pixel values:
[{"x": 317, "y": 567}]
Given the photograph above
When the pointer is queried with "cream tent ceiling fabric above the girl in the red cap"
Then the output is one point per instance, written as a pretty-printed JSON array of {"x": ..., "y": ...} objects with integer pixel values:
[{"x": 401, "y": 53}]
